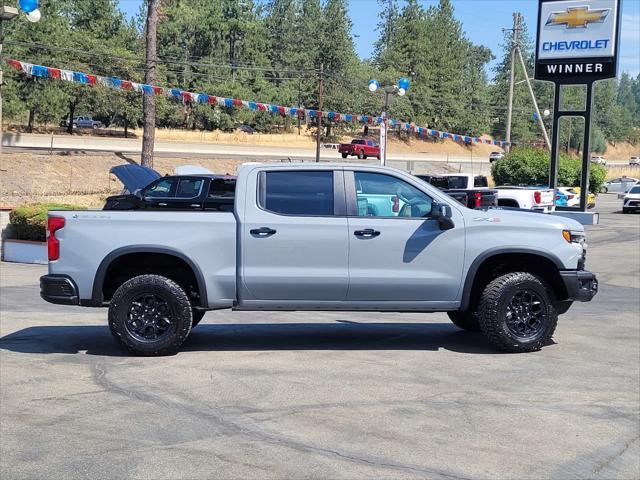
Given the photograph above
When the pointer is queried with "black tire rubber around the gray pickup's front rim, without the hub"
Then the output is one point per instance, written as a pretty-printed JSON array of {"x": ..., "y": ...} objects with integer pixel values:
[{"x": 492, "y": 312}]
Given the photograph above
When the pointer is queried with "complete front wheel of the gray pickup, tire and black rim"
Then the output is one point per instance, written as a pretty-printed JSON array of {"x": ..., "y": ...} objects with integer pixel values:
[{"x": 516, "y": 313}]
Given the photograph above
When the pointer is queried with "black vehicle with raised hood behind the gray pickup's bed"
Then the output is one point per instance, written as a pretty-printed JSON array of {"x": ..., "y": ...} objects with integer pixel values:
[{"x": 208, "y": 192}]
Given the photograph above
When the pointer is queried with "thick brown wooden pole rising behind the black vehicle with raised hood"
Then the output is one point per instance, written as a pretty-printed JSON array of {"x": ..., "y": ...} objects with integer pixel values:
[{"x": 148, "y": 99}]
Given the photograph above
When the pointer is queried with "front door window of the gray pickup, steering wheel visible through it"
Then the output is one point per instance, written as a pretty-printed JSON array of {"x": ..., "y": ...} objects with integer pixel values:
[{"x": 380, "y": 195}]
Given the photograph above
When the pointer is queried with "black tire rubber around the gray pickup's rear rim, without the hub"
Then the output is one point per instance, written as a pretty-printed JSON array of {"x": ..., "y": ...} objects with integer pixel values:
[{"x": 177, "y": 301}]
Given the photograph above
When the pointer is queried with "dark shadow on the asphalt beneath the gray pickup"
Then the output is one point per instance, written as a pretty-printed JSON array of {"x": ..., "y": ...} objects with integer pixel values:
[{"x": 342, "y": 335}]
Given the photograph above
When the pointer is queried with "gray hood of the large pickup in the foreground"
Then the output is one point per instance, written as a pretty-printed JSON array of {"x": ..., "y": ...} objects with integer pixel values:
[{"x": 527, "y": 218}]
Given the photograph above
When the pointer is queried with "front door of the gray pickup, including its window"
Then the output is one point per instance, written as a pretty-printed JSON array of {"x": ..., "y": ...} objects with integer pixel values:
[{"x": 397, "y": 251}]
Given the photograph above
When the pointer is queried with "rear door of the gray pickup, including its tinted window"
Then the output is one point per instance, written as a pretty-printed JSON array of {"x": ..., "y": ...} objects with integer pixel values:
[{"x": 294, "y": 236}]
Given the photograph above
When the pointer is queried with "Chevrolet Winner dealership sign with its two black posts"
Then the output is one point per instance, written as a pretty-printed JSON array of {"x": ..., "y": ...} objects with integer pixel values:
[{"x": 577, "y": 44}]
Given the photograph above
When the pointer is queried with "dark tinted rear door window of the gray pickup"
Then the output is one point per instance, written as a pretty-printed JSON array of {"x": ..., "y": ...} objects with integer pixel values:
[{"x": 303, "y": 193}]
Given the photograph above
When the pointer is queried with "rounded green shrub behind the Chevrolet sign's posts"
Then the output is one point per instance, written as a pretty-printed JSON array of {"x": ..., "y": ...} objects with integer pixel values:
[{"x": 530, "y": 166}]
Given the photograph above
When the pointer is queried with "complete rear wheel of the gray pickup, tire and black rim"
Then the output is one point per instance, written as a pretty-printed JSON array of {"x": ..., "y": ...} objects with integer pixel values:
[{"x": 150, "y": 315}]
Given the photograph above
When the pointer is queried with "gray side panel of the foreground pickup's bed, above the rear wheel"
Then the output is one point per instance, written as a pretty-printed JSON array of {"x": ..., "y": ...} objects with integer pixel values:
[{"x": 108, "y": 232}]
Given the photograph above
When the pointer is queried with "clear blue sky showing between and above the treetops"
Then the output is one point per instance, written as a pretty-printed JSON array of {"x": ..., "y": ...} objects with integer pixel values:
[{"x": 482, "y": 20}]
